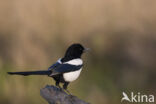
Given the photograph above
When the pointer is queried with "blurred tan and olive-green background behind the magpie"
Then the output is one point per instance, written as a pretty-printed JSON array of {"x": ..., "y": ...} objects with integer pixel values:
[{"x": 120, "y": 33}]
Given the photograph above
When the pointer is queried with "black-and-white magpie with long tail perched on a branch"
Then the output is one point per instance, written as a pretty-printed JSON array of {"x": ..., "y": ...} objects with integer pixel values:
[{"x": 65, "y": 70}]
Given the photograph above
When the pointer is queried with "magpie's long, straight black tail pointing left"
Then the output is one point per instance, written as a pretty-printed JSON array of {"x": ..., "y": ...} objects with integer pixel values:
[{"x": 45, "y": 72}]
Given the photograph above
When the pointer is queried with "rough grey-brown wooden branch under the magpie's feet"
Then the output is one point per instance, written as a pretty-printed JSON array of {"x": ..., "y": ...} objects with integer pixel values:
[{"x": 54, "y": 95}]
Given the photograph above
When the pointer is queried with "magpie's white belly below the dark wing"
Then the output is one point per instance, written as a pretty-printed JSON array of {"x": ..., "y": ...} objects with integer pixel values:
[{"x": 71, "y": 76}]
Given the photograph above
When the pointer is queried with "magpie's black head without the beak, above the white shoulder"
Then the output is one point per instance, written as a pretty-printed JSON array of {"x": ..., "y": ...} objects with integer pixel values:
[{"x": 74, "y": 51}]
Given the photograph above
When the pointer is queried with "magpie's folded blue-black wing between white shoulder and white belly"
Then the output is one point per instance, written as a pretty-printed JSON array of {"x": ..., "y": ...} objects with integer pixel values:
[{"x": 64, "y": 68}]
